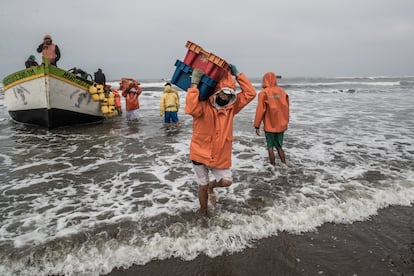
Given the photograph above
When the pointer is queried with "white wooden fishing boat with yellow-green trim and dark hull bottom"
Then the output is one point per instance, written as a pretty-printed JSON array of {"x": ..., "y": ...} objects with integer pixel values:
[{"x": 50, "y": 97}]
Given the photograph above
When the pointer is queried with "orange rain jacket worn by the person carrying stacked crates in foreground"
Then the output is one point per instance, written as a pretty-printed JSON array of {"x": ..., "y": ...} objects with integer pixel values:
[{"x": 211, "y": 142}]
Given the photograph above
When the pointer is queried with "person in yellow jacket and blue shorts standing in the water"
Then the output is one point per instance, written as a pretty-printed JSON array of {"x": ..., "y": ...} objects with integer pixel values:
[{"x": 169, "y": 106}]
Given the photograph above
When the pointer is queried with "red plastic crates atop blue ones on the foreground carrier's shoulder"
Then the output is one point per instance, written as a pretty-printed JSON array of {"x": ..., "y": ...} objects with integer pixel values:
[{"x": 212, "y": 65}]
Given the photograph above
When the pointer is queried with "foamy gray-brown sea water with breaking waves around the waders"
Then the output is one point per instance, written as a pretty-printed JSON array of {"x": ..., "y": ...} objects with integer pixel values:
[{"x": 81, "y": 201}]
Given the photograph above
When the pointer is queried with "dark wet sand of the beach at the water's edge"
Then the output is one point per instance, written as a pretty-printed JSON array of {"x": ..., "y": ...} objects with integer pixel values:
[{"x": 382, "y": 245}]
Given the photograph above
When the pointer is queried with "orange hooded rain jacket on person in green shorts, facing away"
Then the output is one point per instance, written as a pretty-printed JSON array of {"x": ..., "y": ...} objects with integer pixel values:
[{"x": 272, "y": 106}]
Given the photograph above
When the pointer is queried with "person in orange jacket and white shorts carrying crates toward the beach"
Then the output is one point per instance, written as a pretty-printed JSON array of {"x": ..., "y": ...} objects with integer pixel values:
[{"x": 212, "y": 138}]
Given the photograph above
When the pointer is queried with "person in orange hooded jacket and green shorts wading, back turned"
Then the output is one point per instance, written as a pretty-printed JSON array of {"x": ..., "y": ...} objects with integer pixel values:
[{"x": 273, "y": 110}]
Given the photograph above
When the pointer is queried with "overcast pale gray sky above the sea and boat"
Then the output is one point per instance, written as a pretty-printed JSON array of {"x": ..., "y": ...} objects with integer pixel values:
[{"x": 143, "y": 39}]
